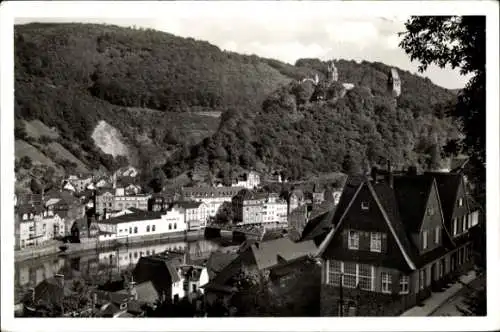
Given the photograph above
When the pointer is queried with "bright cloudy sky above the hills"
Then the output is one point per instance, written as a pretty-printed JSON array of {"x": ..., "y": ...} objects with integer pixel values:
[{"x": 290, "y": 36}]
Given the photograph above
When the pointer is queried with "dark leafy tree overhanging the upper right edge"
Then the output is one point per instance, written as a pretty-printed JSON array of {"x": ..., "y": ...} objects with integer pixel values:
[{"x": 460, "y": 42}]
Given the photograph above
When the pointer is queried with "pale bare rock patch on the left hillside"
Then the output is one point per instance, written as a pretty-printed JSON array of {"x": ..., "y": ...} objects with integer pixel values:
[{"x": 109, "y": 139}]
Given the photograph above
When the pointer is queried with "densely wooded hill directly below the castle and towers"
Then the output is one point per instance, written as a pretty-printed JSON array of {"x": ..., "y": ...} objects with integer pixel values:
[{"x": 348, "y": 131}]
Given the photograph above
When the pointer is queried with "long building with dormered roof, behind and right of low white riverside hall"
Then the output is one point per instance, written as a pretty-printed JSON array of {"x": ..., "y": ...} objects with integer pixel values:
[{"x": 212, "y": 197}]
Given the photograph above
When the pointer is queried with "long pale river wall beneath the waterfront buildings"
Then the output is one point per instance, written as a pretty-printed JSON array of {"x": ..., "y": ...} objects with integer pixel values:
[{"x": 93, "y": 244}]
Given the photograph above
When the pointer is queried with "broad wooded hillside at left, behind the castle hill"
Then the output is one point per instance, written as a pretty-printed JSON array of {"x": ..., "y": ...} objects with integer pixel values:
[{"x": 159, "y": 91}]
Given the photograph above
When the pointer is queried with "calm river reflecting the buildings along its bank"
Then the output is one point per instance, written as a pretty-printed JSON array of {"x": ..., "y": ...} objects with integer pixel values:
[{"x": 106, "y": 263}]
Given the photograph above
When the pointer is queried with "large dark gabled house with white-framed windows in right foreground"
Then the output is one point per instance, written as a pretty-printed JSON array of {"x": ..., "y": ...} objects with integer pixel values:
[{"x": 390, "y": 246}]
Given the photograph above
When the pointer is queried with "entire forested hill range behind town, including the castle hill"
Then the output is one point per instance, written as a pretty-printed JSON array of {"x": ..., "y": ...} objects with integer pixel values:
[{"x": 161, "y": 93}]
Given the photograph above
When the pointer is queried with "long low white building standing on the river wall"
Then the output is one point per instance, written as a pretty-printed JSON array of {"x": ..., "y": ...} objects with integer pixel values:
[{"x": 142, "y": 224}]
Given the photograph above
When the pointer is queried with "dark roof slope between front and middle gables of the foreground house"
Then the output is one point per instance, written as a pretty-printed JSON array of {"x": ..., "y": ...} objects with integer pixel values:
[{"x": 412, "y": 194}]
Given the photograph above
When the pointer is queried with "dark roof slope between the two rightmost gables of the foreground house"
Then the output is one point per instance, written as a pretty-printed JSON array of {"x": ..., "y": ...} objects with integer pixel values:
[{"x": 448, "y": 184}]
